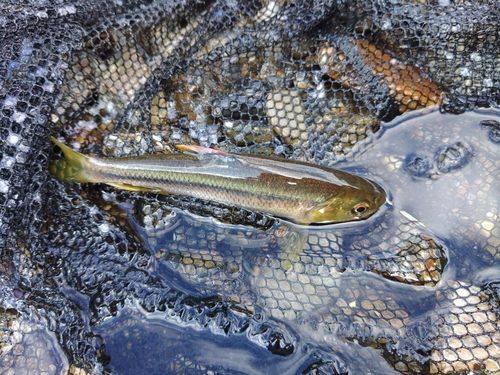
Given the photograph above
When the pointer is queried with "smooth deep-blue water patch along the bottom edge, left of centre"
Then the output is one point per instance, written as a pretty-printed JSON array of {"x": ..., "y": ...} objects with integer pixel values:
[{"x": 141, "y": 343}]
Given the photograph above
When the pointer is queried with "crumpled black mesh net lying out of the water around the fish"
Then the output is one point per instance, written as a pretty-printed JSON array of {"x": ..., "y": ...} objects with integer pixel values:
[{"x": 308, "y": 80}]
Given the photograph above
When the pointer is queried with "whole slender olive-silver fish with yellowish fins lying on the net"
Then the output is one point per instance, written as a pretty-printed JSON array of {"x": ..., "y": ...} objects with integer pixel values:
[{"x": 295, "y": 191}]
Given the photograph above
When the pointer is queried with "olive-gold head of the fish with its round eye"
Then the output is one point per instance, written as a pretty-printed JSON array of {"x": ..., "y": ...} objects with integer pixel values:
[{"x": 351, "y": 204}]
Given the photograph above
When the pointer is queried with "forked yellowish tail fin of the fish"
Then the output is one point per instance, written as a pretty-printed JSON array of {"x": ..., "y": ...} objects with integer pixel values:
[{"x": 71, "y": 168}]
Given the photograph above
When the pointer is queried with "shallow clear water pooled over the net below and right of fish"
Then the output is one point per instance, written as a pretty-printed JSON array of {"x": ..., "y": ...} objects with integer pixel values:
[{"x": 374, "y": 297}]
